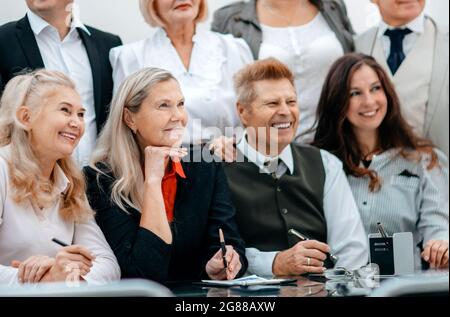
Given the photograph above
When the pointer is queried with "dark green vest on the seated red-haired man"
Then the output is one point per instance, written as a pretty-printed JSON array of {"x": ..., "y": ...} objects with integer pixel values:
[{"x": 266, "y": 207}]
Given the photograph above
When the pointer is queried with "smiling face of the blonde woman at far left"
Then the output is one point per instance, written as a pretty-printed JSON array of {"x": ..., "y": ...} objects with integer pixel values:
[{"x": 57, "y": 127}]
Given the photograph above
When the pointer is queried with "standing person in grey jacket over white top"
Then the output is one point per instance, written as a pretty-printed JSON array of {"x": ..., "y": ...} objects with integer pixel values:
[{"x": 306, "y": 35}]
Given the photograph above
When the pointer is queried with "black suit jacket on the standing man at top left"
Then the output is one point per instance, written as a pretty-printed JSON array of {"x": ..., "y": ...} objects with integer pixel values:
[{"x": 19, "y": 51}]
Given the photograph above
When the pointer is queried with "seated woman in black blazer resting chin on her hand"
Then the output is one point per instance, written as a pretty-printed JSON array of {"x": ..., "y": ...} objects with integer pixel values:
[{"x": 161, "y": 216}]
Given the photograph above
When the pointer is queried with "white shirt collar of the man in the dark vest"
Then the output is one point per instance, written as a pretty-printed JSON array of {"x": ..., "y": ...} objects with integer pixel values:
[{"x": 259, "y": 159}]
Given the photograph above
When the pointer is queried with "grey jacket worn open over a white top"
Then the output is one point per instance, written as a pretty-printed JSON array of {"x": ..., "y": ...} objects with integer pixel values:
[{"x": 241, "y": 20}]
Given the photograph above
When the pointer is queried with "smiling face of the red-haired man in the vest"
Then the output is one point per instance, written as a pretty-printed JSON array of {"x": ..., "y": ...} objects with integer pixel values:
[{"x": 275, "y": 110}]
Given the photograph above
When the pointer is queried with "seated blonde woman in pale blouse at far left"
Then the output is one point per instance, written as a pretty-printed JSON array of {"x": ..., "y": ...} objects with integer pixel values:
[{"x": 42, "y": 192}]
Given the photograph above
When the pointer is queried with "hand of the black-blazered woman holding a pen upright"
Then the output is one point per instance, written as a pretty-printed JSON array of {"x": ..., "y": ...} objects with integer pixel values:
[{"x": 225, "y": 264}]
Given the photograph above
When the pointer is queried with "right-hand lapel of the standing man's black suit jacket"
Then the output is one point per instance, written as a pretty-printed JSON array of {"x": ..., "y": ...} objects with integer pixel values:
[{"x": 96, "y": 69}]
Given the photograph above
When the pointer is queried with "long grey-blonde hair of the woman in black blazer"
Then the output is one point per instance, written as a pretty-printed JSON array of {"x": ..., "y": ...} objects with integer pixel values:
[{"x": 117, "y": 147}]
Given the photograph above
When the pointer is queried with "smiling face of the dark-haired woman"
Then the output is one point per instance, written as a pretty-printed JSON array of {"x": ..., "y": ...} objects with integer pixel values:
[{"x": 368, "y": 103}]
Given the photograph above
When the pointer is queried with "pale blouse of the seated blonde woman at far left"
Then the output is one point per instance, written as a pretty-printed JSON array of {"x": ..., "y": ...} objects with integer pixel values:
[{"x": 26, "y": 231}]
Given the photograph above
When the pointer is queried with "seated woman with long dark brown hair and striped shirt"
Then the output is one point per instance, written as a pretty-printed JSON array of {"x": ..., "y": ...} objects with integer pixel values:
[{"x": 397, "y": 178}]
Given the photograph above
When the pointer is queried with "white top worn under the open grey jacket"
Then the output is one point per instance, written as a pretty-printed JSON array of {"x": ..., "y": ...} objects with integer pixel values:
[{"x": 309, "y": 51}]
